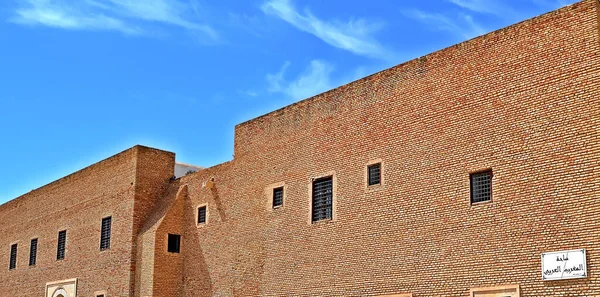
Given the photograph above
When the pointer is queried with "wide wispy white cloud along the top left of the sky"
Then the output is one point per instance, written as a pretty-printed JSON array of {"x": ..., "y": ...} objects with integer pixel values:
[{"x": 127, "y": 16}]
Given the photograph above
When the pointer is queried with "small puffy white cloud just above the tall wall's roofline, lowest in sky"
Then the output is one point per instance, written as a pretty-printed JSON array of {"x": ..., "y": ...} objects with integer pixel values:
[{"x": 314, "y": 80}]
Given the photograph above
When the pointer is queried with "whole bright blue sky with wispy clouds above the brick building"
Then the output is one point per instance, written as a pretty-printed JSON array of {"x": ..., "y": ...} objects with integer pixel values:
[{"x": 81, "y": 80}]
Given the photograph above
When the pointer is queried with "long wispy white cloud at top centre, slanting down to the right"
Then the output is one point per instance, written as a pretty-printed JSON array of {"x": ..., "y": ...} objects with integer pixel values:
[{"x": 355, "y": 36}]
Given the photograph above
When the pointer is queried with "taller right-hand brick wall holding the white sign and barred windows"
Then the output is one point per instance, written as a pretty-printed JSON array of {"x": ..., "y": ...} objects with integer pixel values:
[{"x": 522, "y": 100}]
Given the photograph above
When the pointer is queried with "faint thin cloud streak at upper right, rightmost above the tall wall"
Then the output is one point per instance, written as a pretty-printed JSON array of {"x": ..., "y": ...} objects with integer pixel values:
[{"x": 464, "y": 26}]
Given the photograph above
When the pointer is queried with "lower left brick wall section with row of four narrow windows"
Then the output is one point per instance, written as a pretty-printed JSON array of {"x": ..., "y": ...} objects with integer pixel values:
[{"x": 76, "y": 203}]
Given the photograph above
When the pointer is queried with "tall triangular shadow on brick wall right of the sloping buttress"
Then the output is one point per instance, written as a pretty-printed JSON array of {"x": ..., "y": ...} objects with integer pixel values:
[{"x": 196, "y": 278}]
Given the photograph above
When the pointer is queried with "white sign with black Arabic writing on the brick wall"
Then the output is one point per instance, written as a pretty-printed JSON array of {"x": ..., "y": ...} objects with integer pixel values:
[{"x": 564, "y": 265}]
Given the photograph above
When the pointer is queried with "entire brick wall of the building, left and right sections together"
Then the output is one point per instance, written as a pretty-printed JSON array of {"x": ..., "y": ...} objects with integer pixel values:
[{"x": 522, "y": 100}]
